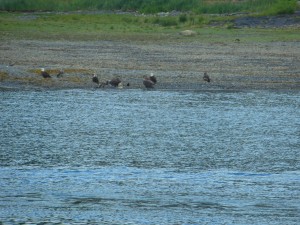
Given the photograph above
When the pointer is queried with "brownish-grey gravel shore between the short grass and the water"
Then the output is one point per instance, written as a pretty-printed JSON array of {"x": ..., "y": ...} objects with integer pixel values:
[{"x": 177, "y": 65}]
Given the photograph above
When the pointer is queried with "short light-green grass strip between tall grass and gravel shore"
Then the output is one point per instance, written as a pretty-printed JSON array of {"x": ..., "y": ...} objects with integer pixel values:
[{"x": 85, "y": 27}]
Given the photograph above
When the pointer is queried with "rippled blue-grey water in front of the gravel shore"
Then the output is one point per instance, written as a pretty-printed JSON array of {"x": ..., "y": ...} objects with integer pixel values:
[{"x": 149, "y": 157}]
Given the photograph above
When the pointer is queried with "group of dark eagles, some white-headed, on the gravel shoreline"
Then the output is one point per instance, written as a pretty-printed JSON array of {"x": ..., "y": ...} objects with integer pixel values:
[{"x": 149, "y": 81}]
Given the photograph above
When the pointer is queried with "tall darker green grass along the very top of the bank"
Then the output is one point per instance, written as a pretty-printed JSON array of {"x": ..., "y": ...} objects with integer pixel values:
[{"x": 154, "y": 6}]
